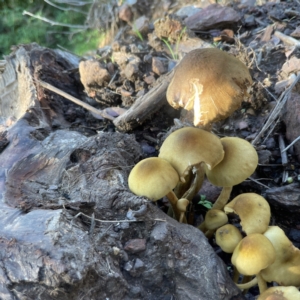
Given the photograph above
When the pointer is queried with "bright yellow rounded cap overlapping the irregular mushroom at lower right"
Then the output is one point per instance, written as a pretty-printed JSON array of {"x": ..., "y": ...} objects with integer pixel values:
[{"x": 253, "y": 254}]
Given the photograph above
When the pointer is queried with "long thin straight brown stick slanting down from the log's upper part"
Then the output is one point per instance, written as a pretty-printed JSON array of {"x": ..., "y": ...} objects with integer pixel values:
[{"x": 90, "y": 108}]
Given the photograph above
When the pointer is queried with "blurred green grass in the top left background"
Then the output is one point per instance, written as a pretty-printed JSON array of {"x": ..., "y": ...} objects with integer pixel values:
[{"x": 17, "y": 28}]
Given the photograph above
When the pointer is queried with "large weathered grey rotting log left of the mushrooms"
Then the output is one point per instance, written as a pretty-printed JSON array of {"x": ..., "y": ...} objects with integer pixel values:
[{"x": 49, "y": 174}]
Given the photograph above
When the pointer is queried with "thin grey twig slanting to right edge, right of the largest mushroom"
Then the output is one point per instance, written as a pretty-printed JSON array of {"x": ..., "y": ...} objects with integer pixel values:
[{"x": 276, "y": 111}]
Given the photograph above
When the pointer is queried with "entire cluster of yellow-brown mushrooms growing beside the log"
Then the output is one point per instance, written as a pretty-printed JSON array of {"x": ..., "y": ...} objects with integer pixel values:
[{"x": 213, "y": 84}]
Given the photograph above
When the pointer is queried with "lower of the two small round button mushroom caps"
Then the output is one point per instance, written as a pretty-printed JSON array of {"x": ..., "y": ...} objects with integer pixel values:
[{"x": 228, "y": 237}]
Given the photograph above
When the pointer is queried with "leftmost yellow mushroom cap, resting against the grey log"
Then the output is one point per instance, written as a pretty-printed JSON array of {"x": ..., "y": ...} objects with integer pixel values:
[{"x": 153, "y": 178}]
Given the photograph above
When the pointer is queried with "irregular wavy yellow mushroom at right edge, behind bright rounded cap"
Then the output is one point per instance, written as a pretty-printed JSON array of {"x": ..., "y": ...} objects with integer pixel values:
[{"x": 286, "y": 268}]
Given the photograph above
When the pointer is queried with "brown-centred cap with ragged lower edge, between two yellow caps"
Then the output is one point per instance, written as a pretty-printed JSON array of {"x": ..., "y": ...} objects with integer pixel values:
[{"x": 189, "y": 146}]
